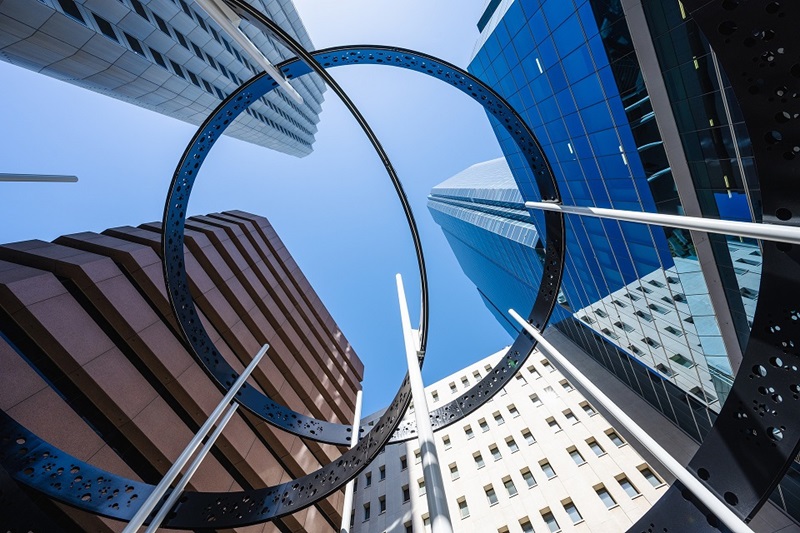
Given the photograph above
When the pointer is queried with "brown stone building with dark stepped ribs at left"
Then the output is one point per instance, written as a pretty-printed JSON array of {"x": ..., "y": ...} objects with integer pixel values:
[{"x": 93, "y": 363}]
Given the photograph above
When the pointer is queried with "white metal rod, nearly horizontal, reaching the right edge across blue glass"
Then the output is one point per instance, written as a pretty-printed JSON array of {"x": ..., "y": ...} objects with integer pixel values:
[{"x": 753, "y": 230}]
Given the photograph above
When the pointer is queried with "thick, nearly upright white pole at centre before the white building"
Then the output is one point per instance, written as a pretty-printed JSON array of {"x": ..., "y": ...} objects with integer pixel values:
[{"x": 431, "y": 471}]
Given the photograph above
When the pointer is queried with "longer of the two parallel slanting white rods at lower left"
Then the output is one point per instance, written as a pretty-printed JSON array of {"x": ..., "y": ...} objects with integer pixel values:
[{"x": 151, "y": 502}]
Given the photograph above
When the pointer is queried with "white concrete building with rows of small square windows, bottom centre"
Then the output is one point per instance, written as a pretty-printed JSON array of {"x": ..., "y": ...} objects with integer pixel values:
[{"x": 537, "y": 457}]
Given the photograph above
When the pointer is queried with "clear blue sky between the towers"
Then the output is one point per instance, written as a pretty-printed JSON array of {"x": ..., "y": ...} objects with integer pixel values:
[{"x": 335, "y": 209}]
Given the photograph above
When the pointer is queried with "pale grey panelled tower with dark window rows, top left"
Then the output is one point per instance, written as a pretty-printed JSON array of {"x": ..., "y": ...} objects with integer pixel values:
[{"x": 164, "y": 55}]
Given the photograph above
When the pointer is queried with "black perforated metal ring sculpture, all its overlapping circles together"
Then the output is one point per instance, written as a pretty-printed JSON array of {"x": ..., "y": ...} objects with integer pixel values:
[{"x": 757, "y": 434}]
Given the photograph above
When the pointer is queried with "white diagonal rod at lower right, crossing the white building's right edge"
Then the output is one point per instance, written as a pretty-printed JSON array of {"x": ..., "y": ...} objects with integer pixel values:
[{"x": 720, "y": 509}]
